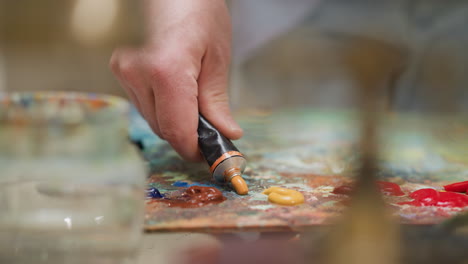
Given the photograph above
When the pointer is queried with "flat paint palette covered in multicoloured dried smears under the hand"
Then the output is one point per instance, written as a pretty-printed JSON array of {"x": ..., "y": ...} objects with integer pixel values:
[{"x": 311, "y": 151}]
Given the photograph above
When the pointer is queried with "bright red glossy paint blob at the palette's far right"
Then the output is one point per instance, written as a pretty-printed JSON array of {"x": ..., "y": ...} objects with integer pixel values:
[{"x": 431, "y": 197}]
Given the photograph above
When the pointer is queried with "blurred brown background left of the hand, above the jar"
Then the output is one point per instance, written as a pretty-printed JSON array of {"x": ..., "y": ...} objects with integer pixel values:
[{"x": 65, "y": 45}]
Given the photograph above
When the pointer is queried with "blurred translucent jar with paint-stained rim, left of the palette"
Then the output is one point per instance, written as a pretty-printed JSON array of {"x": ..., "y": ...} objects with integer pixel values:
[{"x": 71, "y": 185}]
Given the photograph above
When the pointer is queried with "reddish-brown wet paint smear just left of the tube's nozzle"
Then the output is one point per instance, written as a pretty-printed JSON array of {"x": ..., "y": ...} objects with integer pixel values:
[{"x": 195, "y": 196}]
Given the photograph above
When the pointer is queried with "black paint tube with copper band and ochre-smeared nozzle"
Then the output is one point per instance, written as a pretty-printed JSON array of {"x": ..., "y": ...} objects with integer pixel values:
[{"x": 226, "y": 162}]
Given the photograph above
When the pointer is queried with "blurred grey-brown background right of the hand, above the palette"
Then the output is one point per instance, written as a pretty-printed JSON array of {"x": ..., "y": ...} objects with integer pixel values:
[{"x": 320, "y": 53}]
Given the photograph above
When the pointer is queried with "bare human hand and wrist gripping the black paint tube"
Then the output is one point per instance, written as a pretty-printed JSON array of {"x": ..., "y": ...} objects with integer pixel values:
[{"x": 181, "y": 71}]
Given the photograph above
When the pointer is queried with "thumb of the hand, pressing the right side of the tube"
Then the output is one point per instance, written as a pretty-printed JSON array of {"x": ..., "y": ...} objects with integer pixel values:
[{"x": 213, "y": 102}]
